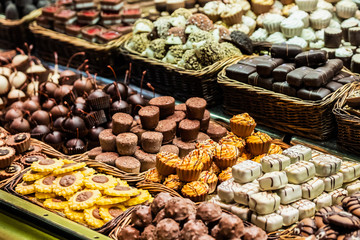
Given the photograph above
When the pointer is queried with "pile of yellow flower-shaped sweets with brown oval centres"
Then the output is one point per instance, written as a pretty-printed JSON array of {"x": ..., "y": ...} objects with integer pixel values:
[{"x": 78, "y": 192}]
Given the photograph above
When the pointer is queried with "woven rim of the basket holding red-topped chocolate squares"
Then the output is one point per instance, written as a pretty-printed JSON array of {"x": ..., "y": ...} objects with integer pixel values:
[{"x": 112, "y": 45}]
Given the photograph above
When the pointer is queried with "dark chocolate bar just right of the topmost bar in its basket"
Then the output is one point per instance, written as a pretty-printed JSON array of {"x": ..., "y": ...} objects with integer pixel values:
[{"x": 312, "y": 58}]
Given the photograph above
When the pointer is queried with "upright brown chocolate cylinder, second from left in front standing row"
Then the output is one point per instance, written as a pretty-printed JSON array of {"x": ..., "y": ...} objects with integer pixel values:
[{"x": 126, "y": 143}]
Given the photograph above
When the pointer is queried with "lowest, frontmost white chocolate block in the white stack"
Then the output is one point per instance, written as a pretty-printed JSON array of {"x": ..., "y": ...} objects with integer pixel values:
[{"x": 269, "y": 223}]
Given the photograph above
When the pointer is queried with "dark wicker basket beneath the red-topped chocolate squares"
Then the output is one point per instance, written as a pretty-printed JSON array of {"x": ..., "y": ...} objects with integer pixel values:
[{"x": 99, "y": 55}]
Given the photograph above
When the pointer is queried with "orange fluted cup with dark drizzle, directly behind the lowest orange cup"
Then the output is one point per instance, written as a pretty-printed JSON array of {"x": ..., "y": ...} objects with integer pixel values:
[{"x": 189, "y": 168}]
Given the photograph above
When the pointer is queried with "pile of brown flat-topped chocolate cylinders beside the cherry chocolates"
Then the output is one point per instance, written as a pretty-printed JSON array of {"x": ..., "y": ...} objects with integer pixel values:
[{"x": 132, "y": 143}]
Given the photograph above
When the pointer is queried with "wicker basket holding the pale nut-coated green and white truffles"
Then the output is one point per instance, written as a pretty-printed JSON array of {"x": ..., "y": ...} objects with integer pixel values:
[{"x": 171, "y": 80}]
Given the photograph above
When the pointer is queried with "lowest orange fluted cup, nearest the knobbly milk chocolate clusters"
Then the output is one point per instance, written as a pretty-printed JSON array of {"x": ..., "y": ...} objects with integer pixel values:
[{"x": 195, "y": 191}]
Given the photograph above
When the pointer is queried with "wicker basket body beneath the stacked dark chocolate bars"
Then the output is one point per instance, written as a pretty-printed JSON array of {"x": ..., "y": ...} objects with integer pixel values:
[{"x": 311, "y": 119}]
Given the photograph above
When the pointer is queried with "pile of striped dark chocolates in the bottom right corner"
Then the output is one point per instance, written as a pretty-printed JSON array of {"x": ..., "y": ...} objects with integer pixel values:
[{"x": 336, "y": 222}]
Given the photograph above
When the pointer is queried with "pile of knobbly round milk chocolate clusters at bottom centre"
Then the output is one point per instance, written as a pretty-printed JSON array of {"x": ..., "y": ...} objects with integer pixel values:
[{"x": 172, "y": 218}]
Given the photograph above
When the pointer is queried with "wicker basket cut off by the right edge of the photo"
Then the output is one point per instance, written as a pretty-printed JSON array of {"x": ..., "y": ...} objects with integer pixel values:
[{"x": 348, "y": 124}]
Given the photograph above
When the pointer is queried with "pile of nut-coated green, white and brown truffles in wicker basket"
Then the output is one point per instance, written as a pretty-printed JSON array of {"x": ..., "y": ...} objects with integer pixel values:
[{"x": 187, "y": 40}]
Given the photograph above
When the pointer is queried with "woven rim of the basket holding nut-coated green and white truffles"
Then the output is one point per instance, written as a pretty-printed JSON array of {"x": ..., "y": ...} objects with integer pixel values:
[{"x": 212, "y": 69}]
